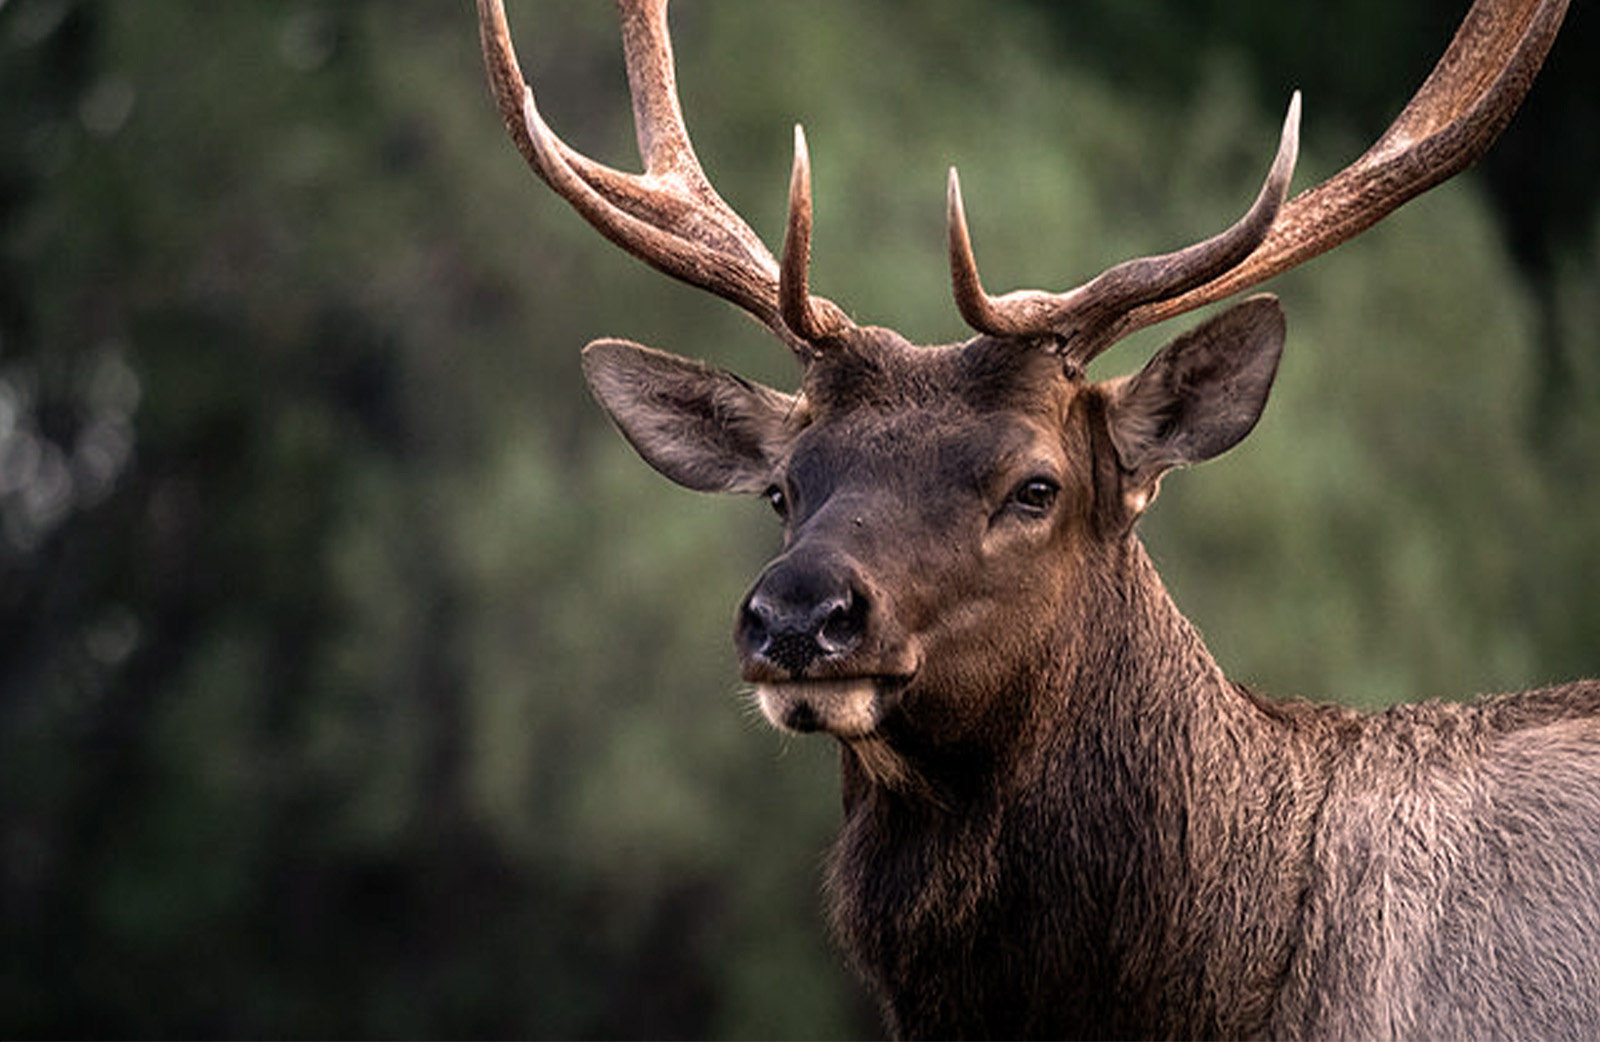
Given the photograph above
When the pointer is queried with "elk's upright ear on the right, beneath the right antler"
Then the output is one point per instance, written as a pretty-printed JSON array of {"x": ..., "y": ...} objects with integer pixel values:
[{"x": 1198, "y": 398}]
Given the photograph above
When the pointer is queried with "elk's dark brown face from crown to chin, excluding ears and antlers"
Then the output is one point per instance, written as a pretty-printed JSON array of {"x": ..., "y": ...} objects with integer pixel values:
[{"x": 934, "y": 499}]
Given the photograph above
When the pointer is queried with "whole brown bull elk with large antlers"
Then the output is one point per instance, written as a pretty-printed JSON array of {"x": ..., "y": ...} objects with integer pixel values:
[{"x": 1060, "y": 819}]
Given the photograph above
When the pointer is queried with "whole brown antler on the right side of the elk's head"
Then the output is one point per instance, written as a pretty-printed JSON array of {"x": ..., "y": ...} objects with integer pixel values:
[{"x": 1452, "y": 121}]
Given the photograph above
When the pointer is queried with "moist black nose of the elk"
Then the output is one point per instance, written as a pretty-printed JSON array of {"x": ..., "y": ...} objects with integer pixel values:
[{"x": 802, "y": 614}]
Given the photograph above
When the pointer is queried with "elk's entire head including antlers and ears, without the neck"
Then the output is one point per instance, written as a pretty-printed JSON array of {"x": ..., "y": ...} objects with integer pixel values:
[{"x": 951, "y": 515}]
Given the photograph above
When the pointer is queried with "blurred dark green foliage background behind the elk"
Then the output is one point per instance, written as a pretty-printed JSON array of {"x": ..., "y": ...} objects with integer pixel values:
[{"x": 356, "y": 681}]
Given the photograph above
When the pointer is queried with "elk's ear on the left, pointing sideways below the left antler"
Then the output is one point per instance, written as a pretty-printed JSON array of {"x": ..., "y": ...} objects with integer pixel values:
[{"x": 700, "y": 427}]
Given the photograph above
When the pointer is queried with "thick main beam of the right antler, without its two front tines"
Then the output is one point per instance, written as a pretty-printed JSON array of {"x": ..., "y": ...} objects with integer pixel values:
[{"x": 1454, "y": 119}]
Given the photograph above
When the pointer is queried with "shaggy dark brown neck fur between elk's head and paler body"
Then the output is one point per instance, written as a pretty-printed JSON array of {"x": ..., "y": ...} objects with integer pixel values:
[{"x": 1129, "y": 808}]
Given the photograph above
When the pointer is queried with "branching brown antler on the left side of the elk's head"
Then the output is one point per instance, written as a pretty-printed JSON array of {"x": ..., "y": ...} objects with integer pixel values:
[{"x": 670, "y": 217}]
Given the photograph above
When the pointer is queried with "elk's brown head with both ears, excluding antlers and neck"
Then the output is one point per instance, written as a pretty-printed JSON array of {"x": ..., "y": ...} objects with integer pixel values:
[{"x": 942, "y": 507}]
